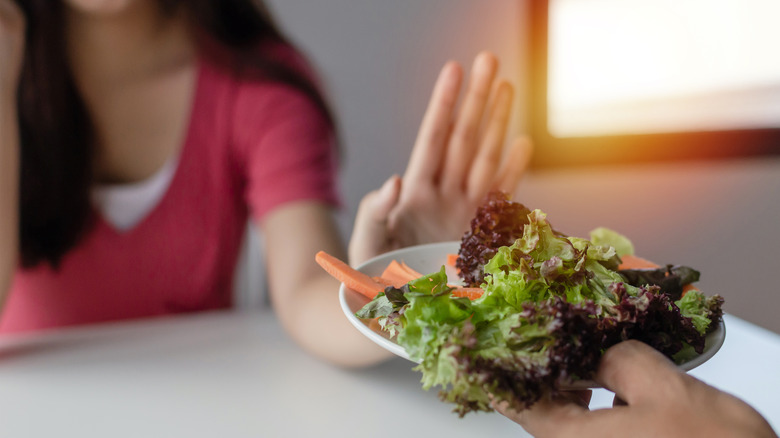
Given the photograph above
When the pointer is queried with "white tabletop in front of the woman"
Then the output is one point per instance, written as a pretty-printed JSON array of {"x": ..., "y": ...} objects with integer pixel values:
[{"x": 238, "y": 375}]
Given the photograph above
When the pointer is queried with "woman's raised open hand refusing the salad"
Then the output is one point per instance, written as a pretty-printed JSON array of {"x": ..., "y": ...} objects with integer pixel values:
[{"x": 459, "y": 156}]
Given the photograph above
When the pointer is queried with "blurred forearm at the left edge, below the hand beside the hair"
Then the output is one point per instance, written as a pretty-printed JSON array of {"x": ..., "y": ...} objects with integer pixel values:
[{"x": 9, "y": 194}]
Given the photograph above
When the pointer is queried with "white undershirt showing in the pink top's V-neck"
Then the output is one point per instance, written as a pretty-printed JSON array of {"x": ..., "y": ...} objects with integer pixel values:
[{"x": 125, "y": 205}]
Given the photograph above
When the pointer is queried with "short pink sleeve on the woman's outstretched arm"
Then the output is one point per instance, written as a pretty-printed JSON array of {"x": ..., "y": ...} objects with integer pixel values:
[{"x": 285, "y": 147}]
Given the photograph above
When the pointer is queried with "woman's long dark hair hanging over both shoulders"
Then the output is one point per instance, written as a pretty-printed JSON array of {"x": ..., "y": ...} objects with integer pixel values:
[{"x": 57, "y": 137}]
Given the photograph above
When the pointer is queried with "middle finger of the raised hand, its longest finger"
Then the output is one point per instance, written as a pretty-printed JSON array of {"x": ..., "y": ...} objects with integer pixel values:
[{"x": 463, "y": 143}]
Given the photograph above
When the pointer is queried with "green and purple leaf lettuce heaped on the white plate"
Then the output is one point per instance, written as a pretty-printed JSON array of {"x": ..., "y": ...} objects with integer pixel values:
[{"x": 551, "y": 305}]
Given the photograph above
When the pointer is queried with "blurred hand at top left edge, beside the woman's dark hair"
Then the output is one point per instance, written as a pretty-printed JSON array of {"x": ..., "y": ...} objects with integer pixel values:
[{"x": 11, "y": 45}]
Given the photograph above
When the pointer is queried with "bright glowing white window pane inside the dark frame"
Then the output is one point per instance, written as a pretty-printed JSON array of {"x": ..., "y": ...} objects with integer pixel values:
[{"x": 641, "y": 66}]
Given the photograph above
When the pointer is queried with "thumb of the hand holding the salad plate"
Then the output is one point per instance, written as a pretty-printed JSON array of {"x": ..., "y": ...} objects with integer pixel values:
[{"x": 636, "y": 372}]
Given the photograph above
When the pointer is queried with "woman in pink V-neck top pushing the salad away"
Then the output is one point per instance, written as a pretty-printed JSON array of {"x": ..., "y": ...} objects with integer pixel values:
[{"x": 137, "y": 136}]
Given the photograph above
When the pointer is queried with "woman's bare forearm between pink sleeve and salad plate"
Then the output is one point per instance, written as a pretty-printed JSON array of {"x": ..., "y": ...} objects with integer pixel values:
[{"x": 304, "y": 296}]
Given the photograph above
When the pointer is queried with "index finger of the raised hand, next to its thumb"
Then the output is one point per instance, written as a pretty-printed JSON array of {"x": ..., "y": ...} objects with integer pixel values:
[{"x": 429, "y": 148}]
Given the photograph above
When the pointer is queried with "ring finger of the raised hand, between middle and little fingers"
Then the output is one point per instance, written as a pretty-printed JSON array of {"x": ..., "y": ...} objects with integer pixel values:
[{"x": 488, "y": 157}]
